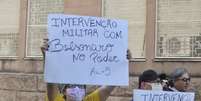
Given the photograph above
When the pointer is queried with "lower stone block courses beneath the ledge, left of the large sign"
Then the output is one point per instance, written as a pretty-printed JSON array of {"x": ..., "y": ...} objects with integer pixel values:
[{"x": 21, "y": 87}]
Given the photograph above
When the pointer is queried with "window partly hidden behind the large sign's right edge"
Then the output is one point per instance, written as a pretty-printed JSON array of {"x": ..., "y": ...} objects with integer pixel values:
[{"x": 134, "y": 11}]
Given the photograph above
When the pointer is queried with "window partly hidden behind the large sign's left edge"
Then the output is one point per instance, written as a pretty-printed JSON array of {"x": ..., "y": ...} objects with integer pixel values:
[{"x": 37, "y": 23}]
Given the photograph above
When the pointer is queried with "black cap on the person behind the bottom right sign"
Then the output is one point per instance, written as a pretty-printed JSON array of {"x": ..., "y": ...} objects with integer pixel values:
[{"x": 147, "y": 76}]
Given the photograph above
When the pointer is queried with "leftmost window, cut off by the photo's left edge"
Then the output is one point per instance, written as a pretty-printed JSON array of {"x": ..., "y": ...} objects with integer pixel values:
[{"x": 9, "y": 27}]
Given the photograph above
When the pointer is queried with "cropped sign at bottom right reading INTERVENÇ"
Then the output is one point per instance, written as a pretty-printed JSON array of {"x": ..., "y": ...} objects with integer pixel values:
[{"x": 148, "y": 95}]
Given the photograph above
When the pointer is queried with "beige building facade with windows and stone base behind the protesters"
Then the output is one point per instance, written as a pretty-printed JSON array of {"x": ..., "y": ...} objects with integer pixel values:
[{"x": 163, "y": 35}]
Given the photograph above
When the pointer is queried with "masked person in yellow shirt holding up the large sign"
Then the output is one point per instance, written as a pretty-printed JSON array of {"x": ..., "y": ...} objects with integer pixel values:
[{"x": 68, "y": 92}]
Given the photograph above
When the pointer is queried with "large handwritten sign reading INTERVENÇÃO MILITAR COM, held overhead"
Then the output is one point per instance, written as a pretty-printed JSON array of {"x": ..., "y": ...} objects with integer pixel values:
[{"x": 86, "y": 50}]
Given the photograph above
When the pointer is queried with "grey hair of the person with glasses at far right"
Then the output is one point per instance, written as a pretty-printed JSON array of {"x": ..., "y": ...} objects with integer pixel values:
[{"x": 178, "y": 72}]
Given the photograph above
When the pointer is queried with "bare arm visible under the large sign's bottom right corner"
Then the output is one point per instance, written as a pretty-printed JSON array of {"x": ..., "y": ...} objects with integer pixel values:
[{"x": 105, "y": 92}]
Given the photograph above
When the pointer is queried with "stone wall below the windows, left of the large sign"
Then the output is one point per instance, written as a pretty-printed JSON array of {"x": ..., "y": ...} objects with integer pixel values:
[{"x": 21, "y": 80}]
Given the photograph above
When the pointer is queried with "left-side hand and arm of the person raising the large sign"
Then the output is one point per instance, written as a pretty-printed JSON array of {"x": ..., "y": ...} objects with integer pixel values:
[{"x": 52, "y": 89}]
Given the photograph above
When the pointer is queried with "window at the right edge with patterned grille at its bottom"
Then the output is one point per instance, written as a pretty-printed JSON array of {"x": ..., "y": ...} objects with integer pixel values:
[{"x": 178, "y": 29}]
